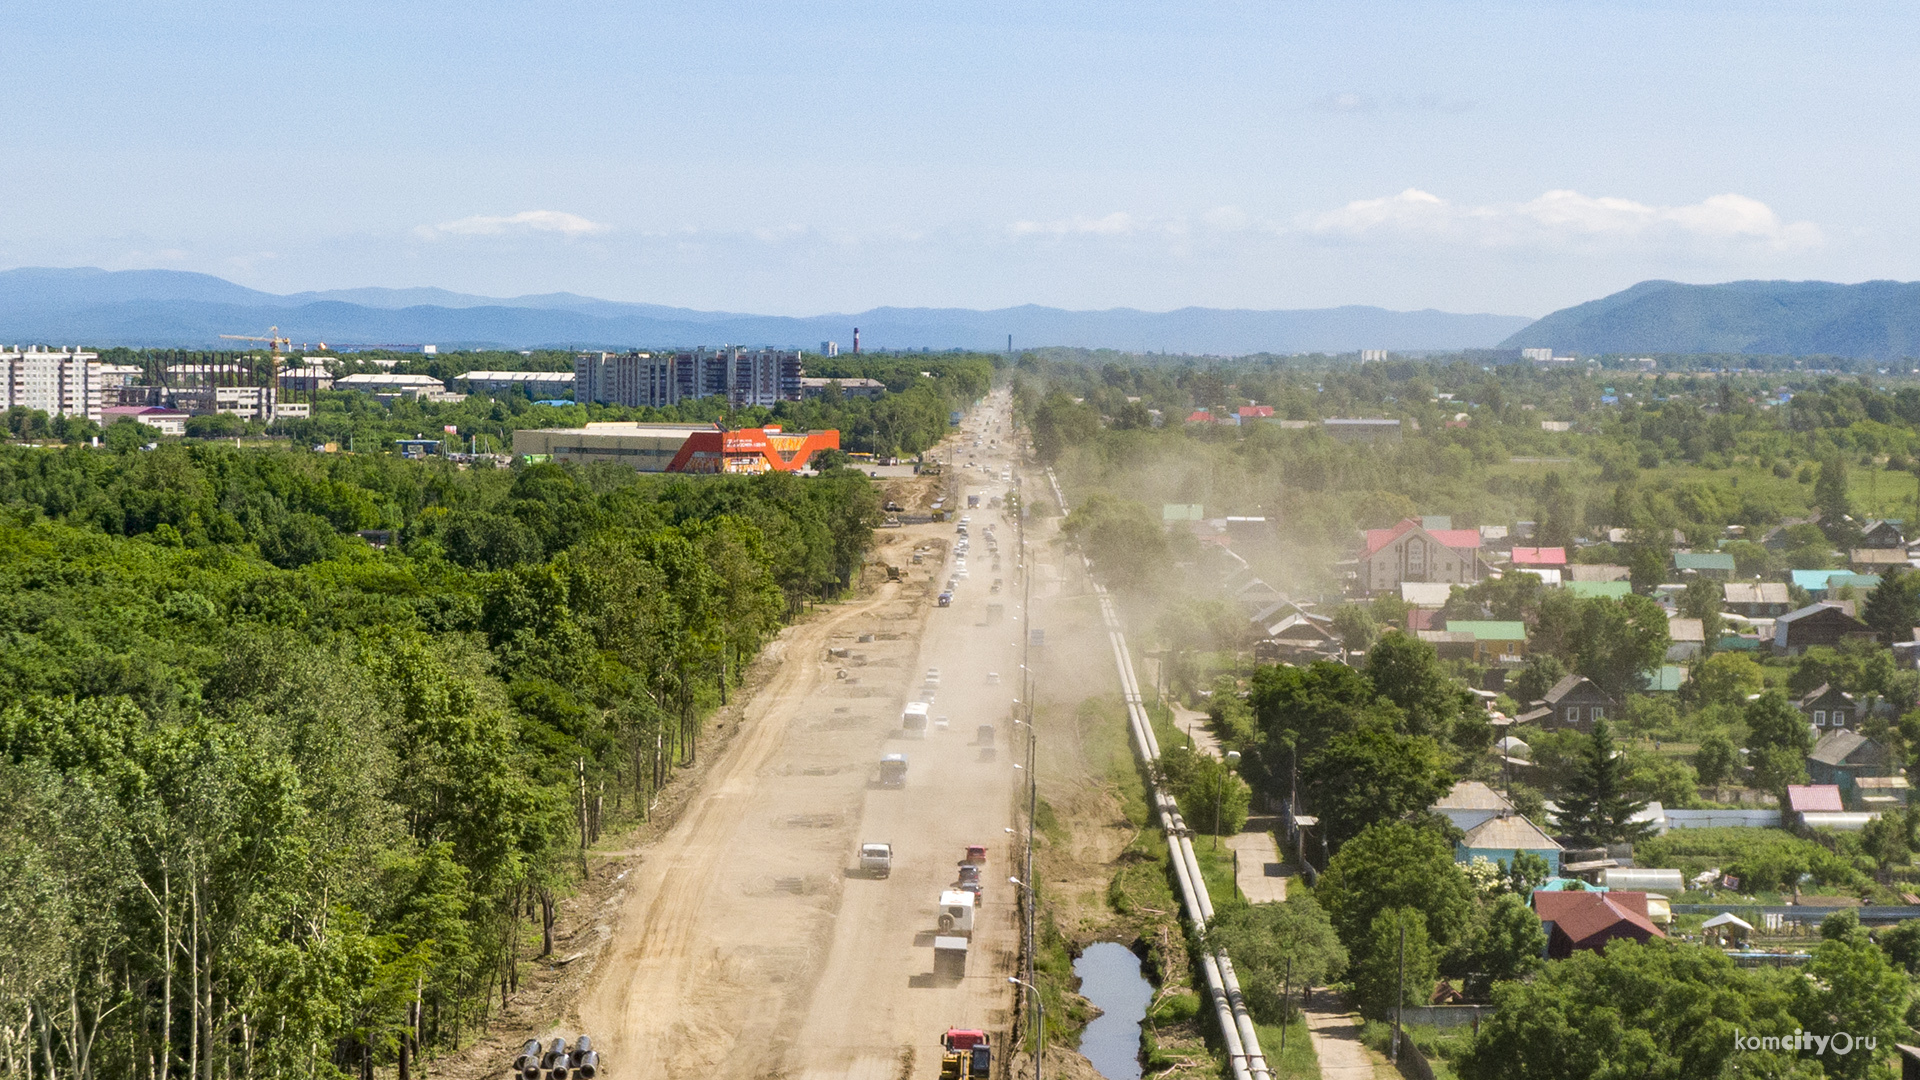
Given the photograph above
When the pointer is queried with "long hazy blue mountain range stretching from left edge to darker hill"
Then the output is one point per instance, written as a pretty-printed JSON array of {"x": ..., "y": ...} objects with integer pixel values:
[{"x": 185, "y": 310}]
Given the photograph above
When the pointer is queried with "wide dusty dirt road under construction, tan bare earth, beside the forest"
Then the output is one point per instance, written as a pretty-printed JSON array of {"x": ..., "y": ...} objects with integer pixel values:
[{"x": 750, "y": 946}]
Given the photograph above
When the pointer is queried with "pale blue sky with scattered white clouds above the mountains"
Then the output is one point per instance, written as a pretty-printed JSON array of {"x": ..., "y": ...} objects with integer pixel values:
[{"x": 834, "y": 157}]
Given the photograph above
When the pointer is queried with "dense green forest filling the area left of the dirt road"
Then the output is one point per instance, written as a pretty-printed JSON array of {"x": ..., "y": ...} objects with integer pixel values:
[{"x": 276, "y": 802}]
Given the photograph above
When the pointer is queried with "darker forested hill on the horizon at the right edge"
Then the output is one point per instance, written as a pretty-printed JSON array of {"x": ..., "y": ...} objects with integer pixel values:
[{"x": 1877, "y": 320}]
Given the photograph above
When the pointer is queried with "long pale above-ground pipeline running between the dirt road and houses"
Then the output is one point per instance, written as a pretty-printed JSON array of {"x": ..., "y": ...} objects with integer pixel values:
[{"x": 1224, "y": 989}]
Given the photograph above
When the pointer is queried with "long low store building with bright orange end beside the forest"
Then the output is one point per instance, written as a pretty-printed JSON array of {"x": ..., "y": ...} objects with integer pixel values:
[{"x": 677, "y": 449}]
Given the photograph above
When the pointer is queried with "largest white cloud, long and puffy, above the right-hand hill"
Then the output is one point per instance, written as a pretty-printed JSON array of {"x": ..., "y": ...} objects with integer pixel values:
[{"x": 1566, "y": 218}]
